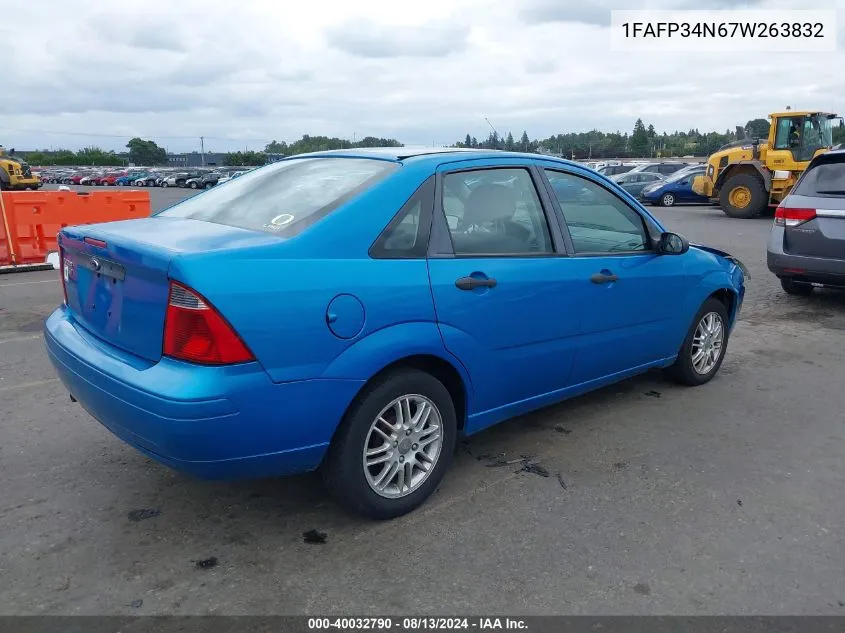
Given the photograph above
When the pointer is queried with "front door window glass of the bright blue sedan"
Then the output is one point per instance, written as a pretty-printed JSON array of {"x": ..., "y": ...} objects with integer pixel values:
[{"x": 598, "y": 221}]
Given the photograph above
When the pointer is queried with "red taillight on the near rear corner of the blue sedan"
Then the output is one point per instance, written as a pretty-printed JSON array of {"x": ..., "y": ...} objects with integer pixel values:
[{"x": 195, "y": 332}]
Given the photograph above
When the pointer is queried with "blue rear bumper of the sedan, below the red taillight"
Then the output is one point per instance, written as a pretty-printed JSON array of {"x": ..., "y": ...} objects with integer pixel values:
[{"x": 212, "y": 422}]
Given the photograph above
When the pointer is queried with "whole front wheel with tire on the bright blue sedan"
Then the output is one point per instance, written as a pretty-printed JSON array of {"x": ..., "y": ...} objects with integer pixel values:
[{"x": 704, "y": 347}]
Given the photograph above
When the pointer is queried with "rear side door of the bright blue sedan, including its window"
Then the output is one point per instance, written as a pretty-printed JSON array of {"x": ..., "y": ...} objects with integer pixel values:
[{"x": 501, "y": 286}]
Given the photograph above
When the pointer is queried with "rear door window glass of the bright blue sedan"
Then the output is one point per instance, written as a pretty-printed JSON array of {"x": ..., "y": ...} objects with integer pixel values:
[{"x": 495, "y": 212}]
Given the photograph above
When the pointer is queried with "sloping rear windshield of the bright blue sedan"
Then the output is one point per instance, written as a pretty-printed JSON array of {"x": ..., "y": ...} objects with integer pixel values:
[{"x": 286, "y": 197}]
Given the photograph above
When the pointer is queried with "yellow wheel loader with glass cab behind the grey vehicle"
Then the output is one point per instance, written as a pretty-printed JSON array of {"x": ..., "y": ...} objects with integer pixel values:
[{"x": 748, "y": 176}]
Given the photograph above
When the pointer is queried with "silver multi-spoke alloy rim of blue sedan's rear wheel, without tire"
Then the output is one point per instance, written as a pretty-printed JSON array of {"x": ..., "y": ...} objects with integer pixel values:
[{"x": 403, "y": 446}]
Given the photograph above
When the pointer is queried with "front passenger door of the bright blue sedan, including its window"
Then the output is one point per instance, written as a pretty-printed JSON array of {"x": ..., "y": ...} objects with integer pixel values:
[{"x": 627, "y": 293}]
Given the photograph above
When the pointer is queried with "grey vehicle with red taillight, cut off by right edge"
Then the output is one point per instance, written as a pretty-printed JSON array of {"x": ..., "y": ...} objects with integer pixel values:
[{"x": 806, "y": 247}]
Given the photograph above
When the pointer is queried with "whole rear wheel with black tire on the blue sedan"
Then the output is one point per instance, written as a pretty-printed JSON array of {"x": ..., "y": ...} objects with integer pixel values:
[{"x": 393, "y": 447}]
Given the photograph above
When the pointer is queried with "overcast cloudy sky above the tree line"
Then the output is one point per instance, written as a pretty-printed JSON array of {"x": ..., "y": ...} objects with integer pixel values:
[{"x": 422, "y": 71}]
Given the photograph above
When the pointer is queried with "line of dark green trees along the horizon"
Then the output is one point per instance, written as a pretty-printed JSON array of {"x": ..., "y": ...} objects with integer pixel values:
[{"x": 643, "y": 142}]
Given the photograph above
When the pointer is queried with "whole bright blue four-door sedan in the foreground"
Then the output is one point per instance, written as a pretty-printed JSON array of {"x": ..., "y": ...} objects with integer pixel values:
[{"x": 357, "y": 311}]
